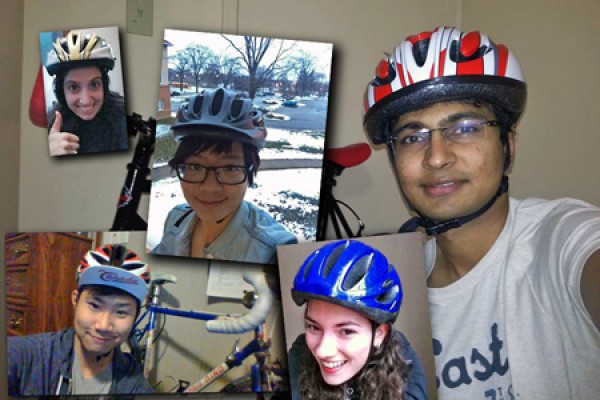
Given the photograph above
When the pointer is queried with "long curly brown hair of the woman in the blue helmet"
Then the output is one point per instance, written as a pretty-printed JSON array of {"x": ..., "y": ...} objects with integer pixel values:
[{"x": 382, "y": 378}]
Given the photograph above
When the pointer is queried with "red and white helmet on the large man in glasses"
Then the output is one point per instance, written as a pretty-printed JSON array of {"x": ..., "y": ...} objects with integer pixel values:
[{"x": 442, "y": 65}]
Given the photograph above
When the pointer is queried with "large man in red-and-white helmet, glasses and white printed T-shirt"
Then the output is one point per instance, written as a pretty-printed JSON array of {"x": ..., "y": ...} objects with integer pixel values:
[{"x": 513, "y": 284}]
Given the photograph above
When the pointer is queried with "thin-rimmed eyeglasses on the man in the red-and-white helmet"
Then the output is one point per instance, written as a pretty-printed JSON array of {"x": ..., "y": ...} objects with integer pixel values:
[{"x": 412, "y": 139}]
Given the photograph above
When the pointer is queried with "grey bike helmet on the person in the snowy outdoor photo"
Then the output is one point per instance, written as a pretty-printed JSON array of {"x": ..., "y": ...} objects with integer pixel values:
[{"x": 220, "y": 114}]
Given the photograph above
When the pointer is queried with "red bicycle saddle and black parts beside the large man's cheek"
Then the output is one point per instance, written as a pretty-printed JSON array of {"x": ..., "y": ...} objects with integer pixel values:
[{"x": 334, "y": 162}]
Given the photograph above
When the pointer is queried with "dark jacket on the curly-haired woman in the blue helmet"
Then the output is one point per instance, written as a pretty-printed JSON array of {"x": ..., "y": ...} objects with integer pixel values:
[{"x": 416, "y": 383}]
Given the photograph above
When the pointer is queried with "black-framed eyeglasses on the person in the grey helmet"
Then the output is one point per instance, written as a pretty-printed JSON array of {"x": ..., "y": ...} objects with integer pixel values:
[{"x": 226, "y": 175}]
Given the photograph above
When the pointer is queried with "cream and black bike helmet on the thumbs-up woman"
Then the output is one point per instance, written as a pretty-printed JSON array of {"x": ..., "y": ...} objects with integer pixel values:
[{"x": 79, "y": 50}]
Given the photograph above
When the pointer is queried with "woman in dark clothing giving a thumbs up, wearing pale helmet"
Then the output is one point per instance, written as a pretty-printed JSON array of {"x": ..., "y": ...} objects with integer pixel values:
[{"x": 87, "y": 117}]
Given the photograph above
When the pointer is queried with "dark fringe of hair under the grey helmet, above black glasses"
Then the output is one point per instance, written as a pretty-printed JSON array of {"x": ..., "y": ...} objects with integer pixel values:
[{"x": 192, "y": 145}]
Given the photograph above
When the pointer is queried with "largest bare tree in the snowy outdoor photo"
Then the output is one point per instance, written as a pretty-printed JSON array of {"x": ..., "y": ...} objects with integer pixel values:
[{"x": 253, "y": 53}]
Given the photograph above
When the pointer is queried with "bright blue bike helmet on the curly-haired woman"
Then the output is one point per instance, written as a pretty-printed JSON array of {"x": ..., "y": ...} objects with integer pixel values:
[{"x": 353, "y": 275}]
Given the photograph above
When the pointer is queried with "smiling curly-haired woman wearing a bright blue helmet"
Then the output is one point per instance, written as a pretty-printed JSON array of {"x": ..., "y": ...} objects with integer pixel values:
[{"x": 349, "y": 349}]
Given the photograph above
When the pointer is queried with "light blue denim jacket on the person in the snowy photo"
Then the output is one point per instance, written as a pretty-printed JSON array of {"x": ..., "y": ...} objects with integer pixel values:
[{"x": 251, "y": 236}]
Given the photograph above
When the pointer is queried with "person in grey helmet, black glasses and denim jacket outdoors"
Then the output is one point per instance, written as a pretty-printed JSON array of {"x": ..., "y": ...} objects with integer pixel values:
[{"x": 217, "y": 158}]
